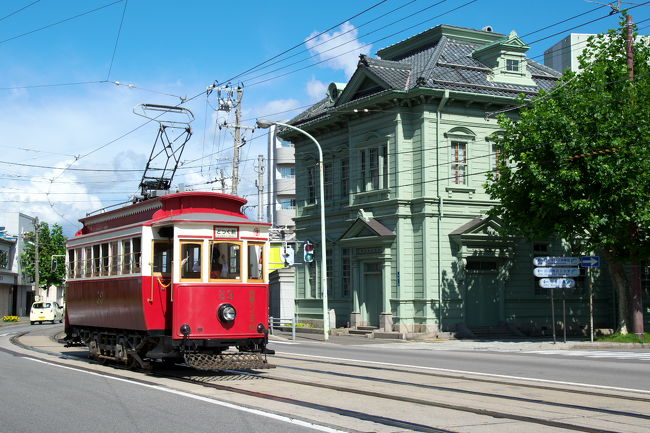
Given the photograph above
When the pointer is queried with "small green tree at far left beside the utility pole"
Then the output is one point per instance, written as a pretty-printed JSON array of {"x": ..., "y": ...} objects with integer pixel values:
[{"x": 51, "y": 243}]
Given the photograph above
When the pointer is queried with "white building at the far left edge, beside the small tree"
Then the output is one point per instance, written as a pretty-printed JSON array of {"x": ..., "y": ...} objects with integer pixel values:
[{"x": 16, "y": 292}]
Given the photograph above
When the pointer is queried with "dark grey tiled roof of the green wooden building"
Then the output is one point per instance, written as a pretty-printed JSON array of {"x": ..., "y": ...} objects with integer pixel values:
[{"x": 446, "y": 63}]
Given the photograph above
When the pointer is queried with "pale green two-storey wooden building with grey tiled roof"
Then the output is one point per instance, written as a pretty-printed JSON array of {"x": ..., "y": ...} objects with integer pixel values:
[{"x": 406, "y": 146}]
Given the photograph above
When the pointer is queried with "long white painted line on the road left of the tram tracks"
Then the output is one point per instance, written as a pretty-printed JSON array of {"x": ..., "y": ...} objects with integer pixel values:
[{"x": 200, "y": 398}]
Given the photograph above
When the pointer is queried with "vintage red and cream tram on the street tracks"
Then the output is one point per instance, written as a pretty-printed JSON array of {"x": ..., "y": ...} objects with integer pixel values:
[{"x": 181, "y": 277}]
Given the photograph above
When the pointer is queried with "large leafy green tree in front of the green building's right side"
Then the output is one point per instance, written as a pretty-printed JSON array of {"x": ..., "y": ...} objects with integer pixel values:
[{"x": 576, "y": 162}]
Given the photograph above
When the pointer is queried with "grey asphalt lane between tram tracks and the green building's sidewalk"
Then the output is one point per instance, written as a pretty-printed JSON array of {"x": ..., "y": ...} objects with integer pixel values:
[{"x": 605, "y": 371}]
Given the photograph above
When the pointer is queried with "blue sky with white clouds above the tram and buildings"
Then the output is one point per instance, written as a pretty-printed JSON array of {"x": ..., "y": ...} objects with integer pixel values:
[{"x": 168, "y": 50}]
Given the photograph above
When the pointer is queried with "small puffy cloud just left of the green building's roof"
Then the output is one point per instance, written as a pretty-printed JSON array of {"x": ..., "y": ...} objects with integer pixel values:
[{"x": 339, "y": 49}]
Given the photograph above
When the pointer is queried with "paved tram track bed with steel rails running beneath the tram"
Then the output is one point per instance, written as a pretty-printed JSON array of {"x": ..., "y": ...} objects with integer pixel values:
[{"x": 323, "y": 379}]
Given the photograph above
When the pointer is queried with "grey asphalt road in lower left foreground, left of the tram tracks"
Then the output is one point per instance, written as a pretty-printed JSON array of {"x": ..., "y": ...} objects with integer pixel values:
[{"x": 40, "y": 396}]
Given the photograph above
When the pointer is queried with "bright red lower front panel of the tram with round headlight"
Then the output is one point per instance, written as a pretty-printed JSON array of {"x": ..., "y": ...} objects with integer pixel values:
[{"x": 197, "y": 305}]
